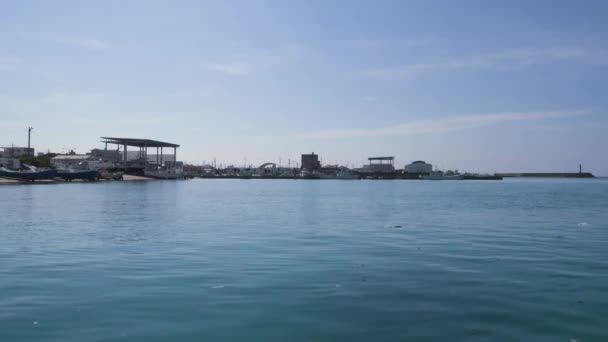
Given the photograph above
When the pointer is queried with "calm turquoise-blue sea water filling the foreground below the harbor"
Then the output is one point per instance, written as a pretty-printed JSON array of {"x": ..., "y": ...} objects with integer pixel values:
[{"x": 247, "y": 260}]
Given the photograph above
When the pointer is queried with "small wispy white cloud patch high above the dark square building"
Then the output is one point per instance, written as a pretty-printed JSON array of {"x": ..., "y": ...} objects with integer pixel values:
[{"x": 248, "y": 63}]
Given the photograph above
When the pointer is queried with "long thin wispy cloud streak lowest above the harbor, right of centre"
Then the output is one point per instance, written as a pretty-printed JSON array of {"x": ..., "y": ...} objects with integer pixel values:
[{"x": 440, "y": 125}]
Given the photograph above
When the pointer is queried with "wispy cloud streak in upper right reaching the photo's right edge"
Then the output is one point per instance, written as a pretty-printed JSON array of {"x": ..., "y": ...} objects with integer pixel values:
[{"x": 500, "y": 60}]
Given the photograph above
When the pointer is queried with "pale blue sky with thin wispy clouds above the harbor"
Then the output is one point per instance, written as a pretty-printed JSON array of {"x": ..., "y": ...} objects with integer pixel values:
[{"x": 485, "y": 86}]
